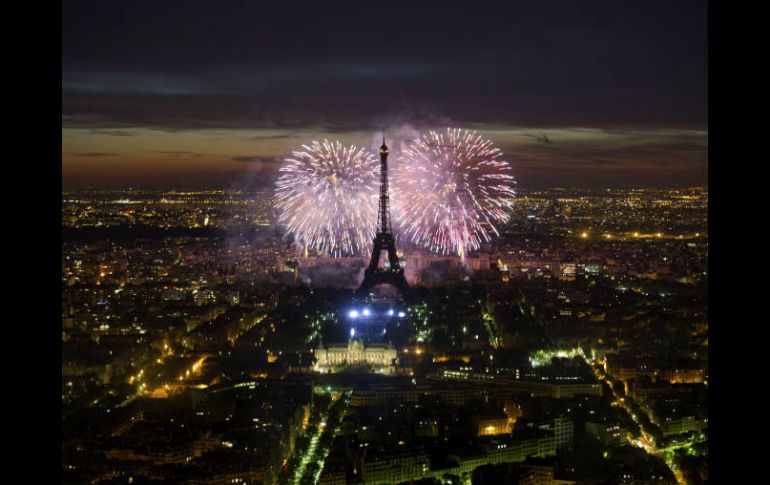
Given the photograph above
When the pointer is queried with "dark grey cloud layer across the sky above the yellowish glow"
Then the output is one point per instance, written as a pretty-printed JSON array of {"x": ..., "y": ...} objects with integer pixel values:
[{"x": 264, "y": 66}]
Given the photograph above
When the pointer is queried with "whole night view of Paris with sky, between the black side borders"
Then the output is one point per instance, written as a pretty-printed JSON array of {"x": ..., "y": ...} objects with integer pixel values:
[{"x": 300, "y": 255}]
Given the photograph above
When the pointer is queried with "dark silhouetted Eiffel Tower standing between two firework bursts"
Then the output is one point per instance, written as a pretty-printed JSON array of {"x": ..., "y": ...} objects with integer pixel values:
[{"x": 392, "y": 274}]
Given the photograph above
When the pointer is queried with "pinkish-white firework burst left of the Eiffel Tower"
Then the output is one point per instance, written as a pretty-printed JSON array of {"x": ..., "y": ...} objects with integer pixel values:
[{"x": 326, "y": 196}]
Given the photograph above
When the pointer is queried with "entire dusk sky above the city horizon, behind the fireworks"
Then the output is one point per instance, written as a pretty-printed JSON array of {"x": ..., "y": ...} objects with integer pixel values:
[{"x": 184, "y": 93}]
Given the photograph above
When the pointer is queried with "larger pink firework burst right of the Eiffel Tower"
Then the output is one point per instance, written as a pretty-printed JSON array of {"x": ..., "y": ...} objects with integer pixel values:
[{"x": 450, "y": 189}]
